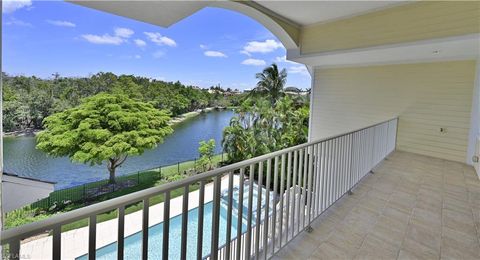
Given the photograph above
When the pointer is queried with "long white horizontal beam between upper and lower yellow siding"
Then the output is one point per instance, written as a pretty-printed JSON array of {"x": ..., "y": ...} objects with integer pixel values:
[{"x": 451, "y": 48}]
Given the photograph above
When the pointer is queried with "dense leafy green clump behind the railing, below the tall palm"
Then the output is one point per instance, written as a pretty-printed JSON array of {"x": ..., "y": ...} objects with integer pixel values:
[{"x": 258, "y": 128}]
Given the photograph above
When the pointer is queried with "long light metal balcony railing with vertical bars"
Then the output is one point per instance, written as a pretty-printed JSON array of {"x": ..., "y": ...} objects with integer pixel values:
[{"x": 301, "y": 182}]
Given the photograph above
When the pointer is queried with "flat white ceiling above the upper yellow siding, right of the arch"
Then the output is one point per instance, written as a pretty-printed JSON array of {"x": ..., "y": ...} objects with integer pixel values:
[{"x": 311, "y": 12}]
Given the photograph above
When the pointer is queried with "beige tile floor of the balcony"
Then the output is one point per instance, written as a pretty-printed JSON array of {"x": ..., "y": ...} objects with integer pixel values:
[{"x": 412, "y": 207}]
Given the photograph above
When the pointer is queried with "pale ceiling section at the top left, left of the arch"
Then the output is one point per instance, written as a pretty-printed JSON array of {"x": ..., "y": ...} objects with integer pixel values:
[{"x": 162, "y": 13}]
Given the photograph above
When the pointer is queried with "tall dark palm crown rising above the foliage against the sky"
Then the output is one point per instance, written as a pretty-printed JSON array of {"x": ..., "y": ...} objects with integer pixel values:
[{"x": 271, "y": 82}]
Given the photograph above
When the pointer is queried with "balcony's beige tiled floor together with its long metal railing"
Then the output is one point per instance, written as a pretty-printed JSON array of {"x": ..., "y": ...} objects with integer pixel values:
[{"x": 332, "y": 198}]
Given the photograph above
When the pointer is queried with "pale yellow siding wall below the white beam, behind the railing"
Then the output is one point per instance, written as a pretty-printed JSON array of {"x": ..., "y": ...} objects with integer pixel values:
[{"x": 426, "y": 96}]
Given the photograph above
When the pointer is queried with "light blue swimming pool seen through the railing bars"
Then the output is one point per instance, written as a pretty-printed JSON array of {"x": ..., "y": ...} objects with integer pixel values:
[{"x": 133, "y": 243}]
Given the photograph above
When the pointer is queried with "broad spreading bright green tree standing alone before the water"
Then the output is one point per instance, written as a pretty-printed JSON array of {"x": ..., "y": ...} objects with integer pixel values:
[{"x": 104, "y": 128}]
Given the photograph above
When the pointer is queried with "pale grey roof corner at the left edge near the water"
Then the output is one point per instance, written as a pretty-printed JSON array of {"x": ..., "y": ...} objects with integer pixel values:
[{"x": 19, "y": 191}]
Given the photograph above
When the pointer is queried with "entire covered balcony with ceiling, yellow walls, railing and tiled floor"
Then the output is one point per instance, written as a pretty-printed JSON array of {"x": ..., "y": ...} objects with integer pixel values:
[{"x": 348, "y": 195}]
